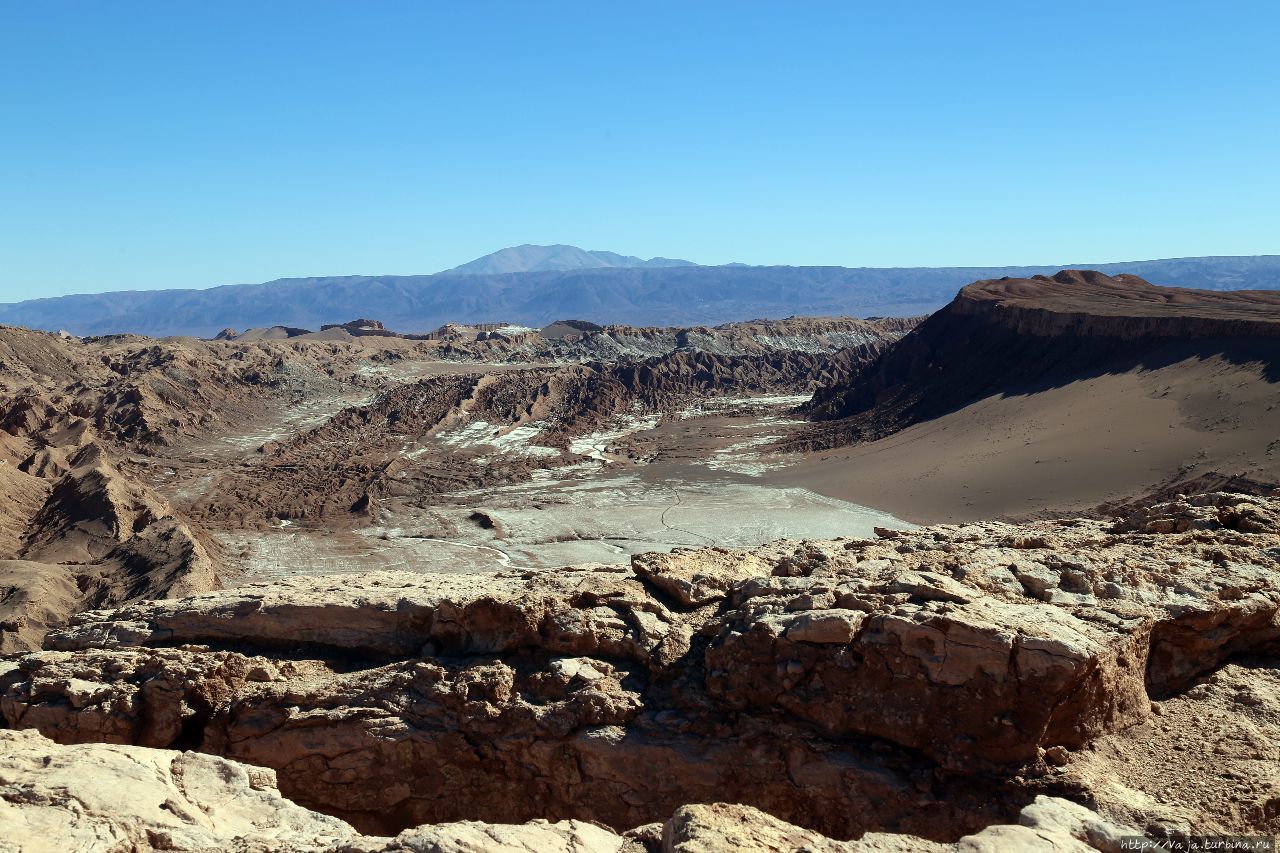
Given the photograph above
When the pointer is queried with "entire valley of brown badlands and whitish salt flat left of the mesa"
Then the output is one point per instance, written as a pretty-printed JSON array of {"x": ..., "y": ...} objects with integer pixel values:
[{"x": 138, "y": 468}]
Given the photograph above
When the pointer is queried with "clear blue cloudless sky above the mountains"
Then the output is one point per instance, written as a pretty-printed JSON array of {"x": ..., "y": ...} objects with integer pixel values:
[{"x": 189, "y": 144}]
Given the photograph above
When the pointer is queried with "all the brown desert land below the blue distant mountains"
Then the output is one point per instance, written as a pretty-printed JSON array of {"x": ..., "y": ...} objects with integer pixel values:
[{"x": 595, "y": 589}]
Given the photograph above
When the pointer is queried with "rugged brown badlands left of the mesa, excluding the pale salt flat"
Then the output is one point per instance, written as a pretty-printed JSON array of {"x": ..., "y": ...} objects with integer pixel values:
[{"x": 113, "y": 449}]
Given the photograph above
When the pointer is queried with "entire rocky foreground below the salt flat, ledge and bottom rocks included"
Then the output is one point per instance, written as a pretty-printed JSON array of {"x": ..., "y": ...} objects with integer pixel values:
[{"x": 976, "y": 687}]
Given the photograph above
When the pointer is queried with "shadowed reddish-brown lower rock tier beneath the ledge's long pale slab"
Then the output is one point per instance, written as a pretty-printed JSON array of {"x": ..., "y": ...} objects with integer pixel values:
[{"x": 390, "y": 747}]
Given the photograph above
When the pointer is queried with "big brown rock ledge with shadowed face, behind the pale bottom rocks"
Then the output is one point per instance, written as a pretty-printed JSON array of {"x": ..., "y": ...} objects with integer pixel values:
[{"x": 798, "y": 678}]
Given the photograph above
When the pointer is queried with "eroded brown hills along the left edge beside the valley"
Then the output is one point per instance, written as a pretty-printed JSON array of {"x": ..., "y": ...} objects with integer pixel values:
[{"x": 79, "y": 526}]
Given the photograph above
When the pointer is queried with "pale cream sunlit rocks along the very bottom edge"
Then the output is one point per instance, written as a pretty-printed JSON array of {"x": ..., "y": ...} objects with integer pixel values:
[{"x": 131, "y": 799}]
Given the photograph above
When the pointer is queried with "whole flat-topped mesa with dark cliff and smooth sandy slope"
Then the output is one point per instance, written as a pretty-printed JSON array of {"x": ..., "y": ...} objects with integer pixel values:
[{"x": 1026, "y": 396}]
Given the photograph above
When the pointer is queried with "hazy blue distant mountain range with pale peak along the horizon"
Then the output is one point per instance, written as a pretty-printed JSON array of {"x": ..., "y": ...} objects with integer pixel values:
[{"x": 657, "y": 293}]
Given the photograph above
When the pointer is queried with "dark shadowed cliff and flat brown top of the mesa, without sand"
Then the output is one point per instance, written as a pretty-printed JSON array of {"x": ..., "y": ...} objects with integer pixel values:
[{"x": 1021, "y": 336}]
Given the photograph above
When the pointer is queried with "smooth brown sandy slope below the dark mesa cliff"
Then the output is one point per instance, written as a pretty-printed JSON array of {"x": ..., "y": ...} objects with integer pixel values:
[{"x": 1067, "y": 448}]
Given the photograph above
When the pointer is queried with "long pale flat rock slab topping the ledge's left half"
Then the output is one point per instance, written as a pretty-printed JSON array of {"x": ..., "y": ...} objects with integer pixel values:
[{"x": 593, "y": 610}]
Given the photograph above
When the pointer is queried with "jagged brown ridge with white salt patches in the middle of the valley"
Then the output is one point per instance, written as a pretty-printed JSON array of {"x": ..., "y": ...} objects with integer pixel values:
[{"x": 327, "y": 472}]
